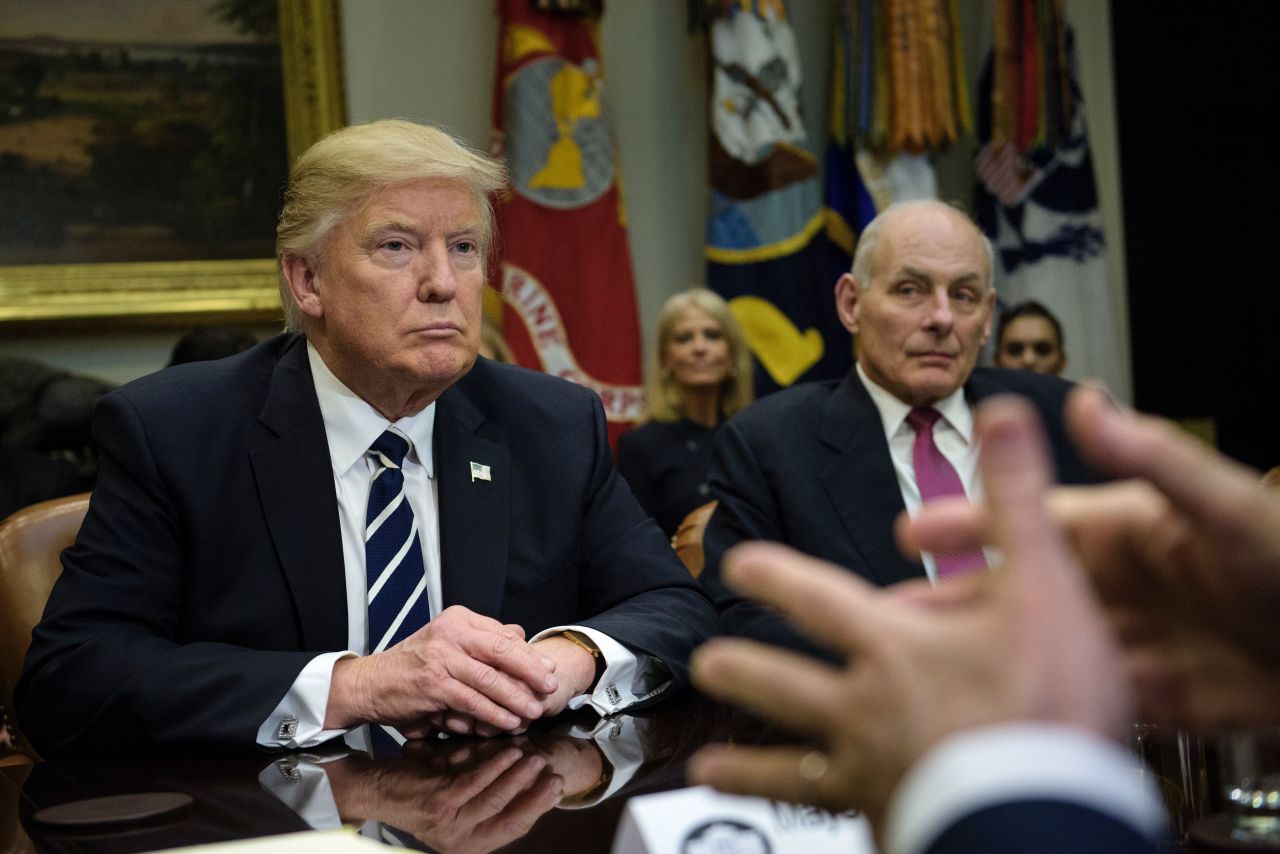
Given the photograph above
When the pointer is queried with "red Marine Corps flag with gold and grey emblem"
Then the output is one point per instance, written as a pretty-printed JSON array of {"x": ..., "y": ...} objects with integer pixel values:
[{"x": 566, "y": 268}]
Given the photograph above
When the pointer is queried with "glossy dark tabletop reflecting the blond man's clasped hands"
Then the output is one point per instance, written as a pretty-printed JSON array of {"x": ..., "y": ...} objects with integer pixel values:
[{"x": 560, "y": 787}]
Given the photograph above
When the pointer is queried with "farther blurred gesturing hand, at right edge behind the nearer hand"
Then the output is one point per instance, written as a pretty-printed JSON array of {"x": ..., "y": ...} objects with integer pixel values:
[{"x": 1186, "y": 559}]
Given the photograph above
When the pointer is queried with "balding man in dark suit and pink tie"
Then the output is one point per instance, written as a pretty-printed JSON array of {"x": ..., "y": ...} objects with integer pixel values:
[{"x": 828, "y": 468}]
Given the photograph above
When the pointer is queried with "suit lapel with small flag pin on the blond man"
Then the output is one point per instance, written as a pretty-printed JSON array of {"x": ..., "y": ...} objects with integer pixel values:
[{"x": 476, "y": 514}]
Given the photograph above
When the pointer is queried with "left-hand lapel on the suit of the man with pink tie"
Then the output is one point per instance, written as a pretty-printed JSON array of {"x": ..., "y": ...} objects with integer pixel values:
[{"x": 862, "y": 485}]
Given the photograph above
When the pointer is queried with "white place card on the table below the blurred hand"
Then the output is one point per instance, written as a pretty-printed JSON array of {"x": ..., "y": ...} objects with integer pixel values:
[{"x": 703, "y": 821}]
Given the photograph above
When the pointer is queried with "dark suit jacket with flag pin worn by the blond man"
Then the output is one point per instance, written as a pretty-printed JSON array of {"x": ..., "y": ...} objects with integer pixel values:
[{"x": 209, "y": 570}]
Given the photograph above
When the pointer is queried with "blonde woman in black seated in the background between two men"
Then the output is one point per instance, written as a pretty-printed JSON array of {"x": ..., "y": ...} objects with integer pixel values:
[{"x": 702, "y": 376}]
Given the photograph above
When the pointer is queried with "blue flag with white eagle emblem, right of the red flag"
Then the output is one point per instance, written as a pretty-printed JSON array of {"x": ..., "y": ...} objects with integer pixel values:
[{"x": 767, "y": 250}]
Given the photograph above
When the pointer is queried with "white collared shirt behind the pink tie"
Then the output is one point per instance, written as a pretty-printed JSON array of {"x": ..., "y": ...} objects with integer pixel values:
[{"x": 953, "y": 436}]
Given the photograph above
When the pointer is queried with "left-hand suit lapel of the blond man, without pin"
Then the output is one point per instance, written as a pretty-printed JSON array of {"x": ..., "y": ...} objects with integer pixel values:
[{"x": 295, "y": 483}]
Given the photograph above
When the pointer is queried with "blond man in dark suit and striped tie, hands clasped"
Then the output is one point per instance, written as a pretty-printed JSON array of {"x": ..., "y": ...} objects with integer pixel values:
[{"x": 358, "y": 523}]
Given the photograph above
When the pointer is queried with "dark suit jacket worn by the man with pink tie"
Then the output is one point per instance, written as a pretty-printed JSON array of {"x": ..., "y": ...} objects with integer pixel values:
[{"x": 810, "y": 467}]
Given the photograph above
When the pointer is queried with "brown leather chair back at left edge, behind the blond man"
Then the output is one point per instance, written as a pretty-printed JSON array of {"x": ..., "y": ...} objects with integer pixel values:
[{"x": 31, "y": 545}]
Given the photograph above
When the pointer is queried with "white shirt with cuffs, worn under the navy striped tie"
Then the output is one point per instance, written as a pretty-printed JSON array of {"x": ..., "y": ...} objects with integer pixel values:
[{"x": 351, "y": 427}]
